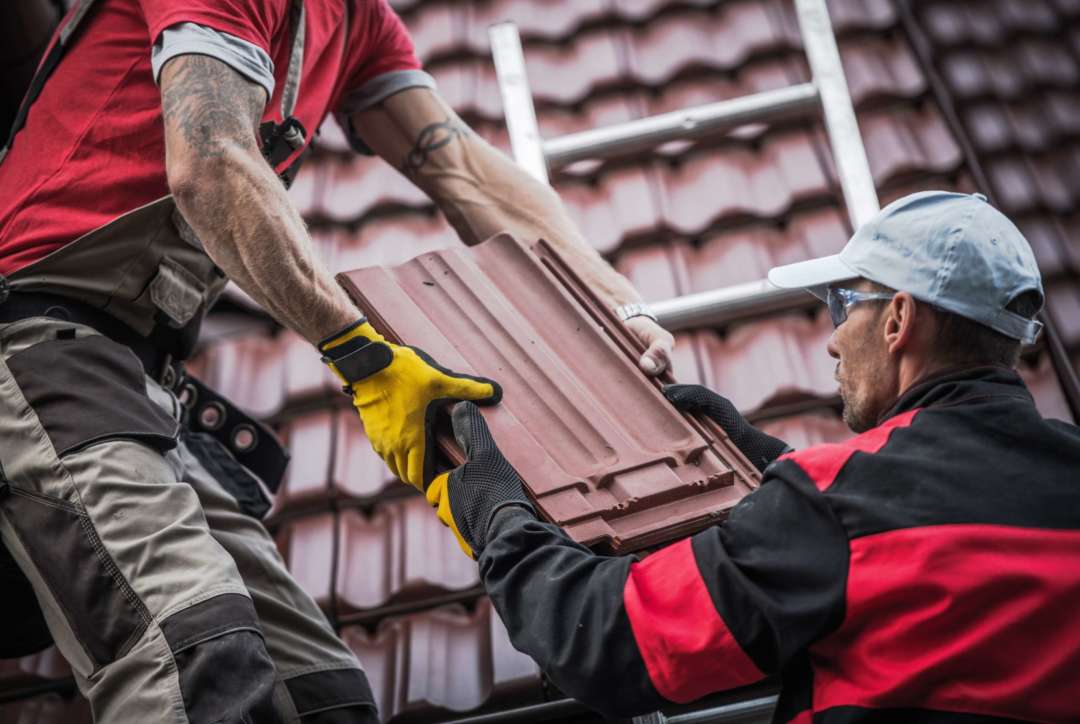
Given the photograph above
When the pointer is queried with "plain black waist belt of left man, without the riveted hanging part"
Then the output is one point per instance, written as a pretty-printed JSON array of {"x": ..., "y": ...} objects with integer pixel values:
[{"x": 21, "y": 305}]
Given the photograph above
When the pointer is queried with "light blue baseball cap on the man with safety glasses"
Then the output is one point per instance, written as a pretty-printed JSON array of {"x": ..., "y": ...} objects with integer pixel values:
[{"x": 954, "y": 251}]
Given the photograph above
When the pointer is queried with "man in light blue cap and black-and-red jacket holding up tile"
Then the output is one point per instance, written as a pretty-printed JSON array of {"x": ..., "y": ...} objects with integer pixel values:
[{"x": 928, "y": 570}]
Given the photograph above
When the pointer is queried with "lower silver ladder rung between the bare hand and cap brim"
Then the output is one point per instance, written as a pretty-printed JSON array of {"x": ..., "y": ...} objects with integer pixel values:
[{"x": 726, "y": 305}]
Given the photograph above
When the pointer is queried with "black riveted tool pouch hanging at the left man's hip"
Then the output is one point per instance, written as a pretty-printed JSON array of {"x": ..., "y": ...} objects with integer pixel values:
[{"x": 242, "y": 453}]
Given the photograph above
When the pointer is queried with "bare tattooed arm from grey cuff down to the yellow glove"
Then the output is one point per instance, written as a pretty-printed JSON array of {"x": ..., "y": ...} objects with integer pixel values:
[{"x": 236, "y": 204}]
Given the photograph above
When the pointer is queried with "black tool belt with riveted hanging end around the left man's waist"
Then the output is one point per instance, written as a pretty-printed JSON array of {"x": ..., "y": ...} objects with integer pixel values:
[{"x": 207, "y": 413}]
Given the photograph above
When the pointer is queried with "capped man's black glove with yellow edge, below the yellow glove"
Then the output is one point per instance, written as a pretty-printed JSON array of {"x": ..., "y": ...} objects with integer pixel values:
[{"x": 468, "y": 498}]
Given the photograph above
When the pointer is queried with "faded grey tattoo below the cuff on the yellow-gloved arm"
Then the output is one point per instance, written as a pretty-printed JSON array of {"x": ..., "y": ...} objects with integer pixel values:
[{"x": 210, "y": 104}]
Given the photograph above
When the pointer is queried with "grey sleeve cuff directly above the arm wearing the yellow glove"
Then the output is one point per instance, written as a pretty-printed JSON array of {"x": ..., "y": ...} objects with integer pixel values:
[{"x": 247, "y": 59}]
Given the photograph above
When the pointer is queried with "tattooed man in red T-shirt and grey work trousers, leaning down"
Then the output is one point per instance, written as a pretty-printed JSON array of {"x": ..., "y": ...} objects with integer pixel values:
[{"x": 148, "y": 165}]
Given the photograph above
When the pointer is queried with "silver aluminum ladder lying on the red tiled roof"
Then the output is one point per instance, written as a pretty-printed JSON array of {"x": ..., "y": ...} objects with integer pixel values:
[{"x": 827, "y": 95}]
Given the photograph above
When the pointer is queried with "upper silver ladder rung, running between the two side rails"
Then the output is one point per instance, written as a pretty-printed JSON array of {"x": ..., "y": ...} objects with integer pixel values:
[{"x": 688, "y": 124}]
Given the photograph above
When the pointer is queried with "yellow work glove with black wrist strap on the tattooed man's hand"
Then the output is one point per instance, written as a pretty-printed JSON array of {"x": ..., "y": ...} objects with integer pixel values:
[{"x": 398, "y": 391}]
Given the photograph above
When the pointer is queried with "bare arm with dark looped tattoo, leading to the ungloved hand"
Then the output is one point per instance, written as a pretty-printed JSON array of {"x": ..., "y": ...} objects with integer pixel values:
[{"x": 479, "y": 189}]
